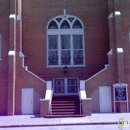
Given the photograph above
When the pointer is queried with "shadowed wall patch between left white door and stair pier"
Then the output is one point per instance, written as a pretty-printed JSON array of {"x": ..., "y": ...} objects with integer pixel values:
[{"x": 36, "y": 106}]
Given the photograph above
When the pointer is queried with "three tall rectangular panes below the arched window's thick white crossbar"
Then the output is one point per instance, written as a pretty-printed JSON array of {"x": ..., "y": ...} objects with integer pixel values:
[{"x": 65, "y": 50}]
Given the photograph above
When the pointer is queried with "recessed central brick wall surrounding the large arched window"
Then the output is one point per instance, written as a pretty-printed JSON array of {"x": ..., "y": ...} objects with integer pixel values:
[{"x": 93, "y": 14}]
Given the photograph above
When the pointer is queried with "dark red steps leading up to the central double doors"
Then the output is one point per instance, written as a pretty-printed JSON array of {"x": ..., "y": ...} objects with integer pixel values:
[{"x": 65, "y": 106}]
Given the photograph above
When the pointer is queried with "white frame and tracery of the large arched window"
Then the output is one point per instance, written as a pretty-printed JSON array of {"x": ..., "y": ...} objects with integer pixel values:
[{"x": 70, "y": 32}]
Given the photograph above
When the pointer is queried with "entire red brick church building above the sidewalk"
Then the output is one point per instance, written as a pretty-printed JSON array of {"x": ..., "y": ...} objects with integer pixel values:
[{"x": 64, "y": 57}]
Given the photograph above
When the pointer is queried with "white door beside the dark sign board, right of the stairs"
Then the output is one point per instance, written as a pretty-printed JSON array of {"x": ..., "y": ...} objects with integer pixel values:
[{"x": 105, "y": 99}]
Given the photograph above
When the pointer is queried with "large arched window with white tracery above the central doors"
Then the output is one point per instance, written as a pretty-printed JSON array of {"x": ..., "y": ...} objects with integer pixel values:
[{"x": 65, "y": 41}]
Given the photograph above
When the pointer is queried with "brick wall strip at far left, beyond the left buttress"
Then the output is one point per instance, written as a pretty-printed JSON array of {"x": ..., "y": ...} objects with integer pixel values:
[{"x": 4, "y": 24}]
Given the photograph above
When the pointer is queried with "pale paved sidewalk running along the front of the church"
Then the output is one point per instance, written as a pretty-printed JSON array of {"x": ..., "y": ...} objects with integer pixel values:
[{"x": 31, "y": 120}]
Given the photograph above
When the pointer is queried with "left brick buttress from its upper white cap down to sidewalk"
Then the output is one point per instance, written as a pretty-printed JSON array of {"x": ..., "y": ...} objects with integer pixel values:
[{"x": 11, "y": 68}]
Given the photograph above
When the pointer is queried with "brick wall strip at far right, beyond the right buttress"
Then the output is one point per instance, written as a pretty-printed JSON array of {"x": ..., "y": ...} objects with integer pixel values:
[{"x": 125, "y": 15}]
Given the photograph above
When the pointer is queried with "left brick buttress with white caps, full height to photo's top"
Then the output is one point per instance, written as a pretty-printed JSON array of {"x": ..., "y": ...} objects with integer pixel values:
[{"x": 12, "y": 58}]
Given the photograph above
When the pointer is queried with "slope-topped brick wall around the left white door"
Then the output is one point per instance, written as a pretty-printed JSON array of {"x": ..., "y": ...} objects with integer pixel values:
[{"x": 27, "y": 80}]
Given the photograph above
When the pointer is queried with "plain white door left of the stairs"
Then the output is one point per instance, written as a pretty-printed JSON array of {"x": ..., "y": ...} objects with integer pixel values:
[{"x": 27, "y": 101}]
